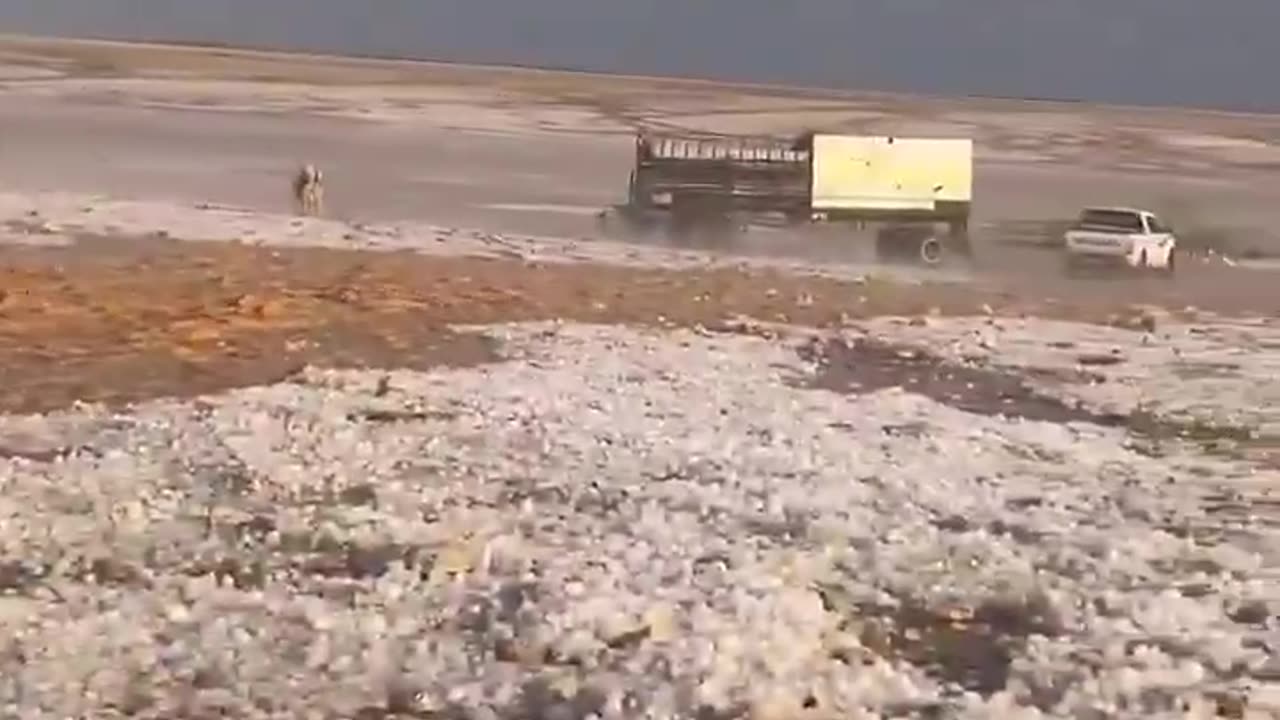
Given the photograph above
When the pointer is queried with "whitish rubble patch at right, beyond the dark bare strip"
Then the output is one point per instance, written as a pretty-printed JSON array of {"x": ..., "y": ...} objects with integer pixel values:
[{"x": 1200, "y": 381}]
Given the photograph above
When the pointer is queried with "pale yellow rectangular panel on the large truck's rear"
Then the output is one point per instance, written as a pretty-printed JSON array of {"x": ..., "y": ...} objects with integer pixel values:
[{"x": 890, "y": 174}]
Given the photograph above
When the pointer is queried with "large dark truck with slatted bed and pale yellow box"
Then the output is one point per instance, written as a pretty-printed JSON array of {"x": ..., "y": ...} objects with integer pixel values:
[{"x": 916, "y": 192}]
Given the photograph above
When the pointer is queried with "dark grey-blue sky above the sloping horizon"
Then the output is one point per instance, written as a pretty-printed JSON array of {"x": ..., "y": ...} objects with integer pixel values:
[{"x": 1133, "y": 52}]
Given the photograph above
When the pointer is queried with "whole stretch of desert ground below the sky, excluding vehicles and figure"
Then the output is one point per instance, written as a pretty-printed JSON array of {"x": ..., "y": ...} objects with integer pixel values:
[{"x": 454, "y": 450}]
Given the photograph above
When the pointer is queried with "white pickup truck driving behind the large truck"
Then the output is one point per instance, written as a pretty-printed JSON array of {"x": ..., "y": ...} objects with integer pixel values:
[{"x": 1121, "y": 236}]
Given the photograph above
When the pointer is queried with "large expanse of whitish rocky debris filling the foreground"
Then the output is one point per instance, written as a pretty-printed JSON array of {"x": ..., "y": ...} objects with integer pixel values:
[{"x": 615, "y": 523}]
